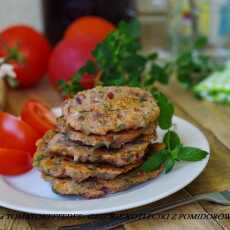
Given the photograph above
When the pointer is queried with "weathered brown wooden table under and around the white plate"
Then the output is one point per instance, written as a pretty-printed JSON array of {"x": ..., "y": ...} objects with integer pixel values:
[{"x": 212, "y": 119}]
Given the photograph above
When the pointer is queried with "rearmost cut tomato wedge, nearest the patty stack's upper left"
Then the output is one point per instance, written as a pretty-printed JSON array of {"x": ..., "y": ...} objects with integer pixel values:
[{"x": 38, "y": 116}]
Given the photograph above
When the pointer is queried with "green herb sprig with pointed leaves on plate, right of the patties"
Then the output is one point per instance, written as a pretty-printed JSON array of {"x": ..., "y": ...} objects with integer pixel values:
[{"x": 174, "y": 151}]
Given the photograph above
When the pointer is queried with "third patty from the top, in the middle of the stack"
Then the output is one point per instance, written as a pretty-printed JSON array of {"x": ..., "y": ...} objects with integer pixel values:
[{"x": 58, "y": 144}]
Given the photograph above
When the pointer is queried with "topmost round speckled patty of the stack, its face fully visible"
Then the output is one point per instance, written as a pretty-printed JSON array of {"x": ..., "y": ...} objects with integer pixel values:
[{"x": 110, "y": 109}]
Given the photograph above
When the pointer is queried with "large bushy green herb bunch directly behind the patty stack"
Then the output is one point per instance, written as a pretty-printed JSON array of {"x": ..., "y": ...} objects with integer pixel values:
[{"x": 119, "y": 62}]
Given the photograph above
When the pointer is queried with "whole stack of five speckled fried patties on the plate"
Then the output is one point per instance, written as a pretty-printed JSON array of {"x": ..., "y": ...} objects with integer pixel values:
[{"x": 100, "y": 142}]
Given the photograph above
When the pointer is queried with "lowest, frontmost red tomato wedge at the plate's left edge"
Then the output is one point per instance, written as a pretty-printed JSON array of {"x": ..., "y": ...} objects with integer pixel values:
[{"x": 14, "y": 161}]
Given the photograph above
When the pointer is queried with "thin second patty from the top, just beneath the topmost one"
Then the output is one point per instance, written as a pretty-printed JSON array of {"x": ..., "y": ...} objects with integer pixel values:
[{"x": 110, "y": 140}]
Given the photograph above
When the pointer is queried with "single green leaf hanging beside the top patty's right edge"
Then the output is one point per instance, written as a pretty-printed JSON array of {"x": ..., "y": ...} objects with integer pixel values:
[{"x": 166, "y": 110}]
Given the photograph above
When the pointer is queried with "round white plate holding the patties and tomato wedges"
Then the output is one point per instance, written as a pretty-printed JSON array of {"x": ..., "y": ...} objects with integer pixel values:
[{"x": 29, "y": 193}]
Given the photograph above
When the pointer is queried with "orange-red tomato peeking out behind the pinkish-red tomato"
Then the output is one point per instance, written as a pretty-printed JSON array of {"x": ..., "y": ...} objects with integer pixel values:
[{"x": 91, "y": 26}]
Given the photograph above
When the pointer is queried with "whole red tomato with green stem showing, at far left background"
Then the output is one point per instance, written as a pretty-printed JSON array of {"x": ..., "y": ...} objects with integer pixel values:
[{"x": 30, "y": 51}]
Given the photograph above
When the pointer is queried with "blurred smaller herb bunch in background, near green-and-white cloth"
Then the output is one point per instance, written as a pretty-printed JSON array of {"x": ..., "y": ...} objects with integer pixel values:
[{"x": 192, "y": 66}]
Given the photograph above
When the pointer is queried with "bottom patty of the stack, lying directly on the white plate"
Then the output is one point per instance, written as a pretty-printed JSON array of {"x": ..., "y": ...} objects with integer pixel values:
[{"x": 99, "y": 188}]
